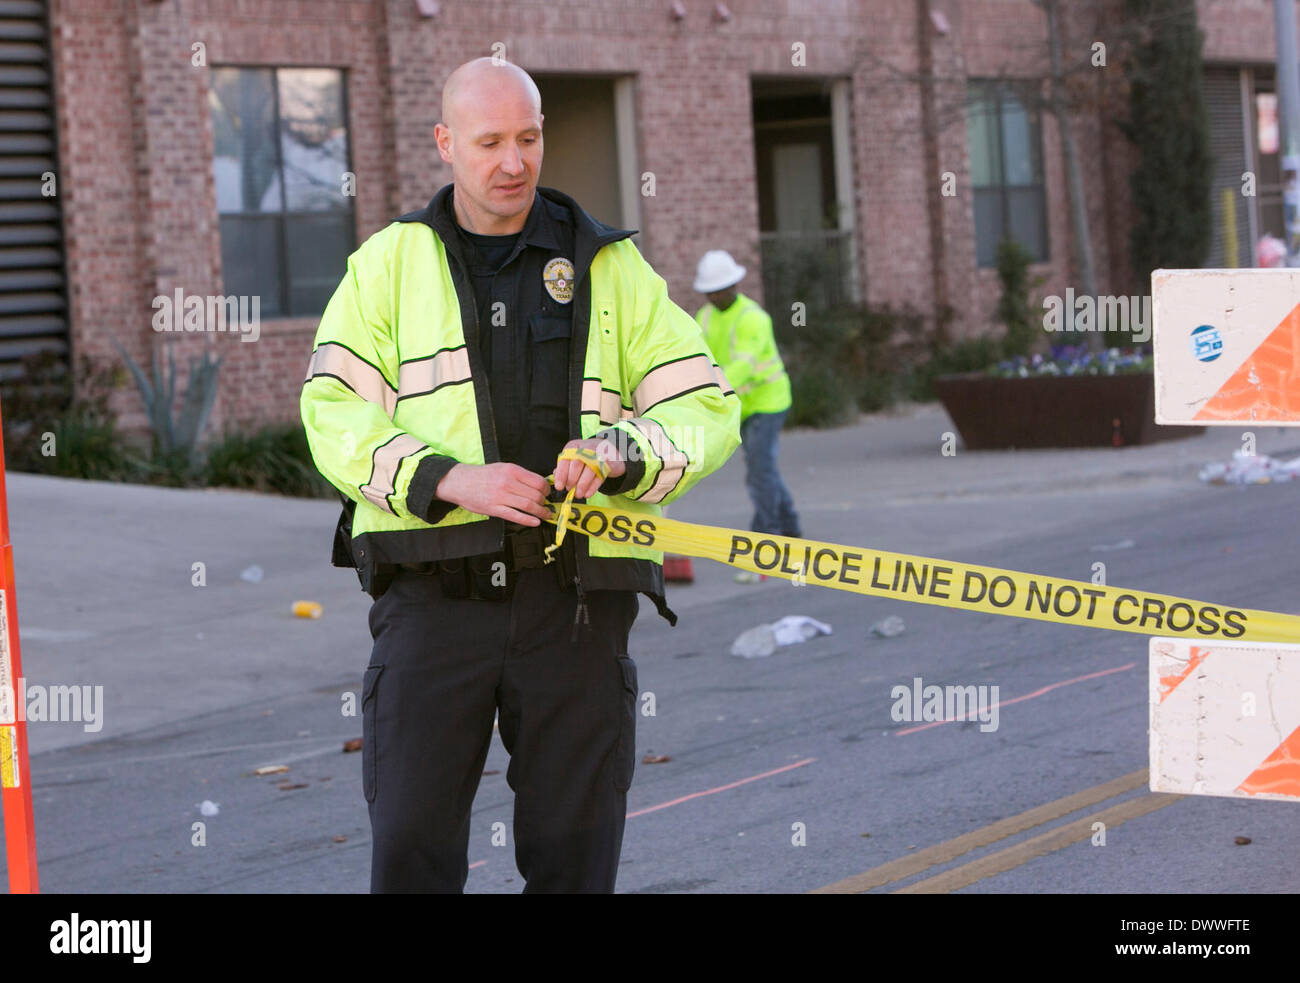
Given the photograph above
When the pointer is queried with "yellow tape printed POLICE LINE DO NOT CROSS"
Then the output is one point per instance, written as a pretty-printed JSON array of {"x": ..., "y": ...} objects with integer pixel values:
[{"x": 934, "y": 582}]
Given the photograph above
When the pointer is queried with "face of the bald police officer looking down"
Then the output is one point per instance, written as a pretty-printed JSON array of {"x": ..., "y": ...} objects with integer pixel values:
[{"x": 495, "y": 146}]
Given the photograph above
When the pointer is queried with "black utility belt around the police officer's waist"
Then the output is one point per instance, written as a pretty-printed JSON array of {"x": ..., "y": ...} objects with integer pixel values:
[{"x": 491, "y": 577}]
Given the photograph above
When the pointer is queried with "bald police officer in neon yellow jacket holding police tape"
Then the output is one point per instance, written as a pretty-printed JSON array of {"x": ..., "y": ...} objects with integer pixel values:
[{"x": 474, "y": 349}]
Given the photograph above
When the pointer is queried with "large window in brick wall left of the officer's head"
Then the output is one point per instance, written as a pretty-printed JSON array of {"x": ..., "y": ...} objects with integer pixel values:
[{"x": 284, "y": 185}]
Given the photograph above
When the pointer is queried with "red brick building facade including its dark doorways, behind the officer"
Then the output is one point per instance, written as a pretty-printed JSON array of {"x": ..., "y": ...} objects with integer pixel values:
[{"x": 722, "y": 109}]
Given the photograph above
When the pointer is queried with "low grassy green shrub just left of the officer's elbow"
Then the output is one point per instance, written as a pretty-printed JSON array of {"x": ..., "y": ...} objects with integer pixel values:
[{"x": 272, "y": 460}]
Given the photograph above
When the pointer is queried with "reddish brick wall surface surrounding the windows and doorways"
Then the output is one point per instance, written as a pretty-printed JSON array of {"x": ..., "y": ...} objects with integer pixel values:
[{"x": 136, "y": 140}]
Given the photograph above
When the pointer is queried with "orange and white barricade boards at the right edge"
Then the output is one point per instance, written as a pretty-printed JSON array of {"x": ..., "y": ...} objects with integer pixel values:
[{"x": 1225, "y": 717}]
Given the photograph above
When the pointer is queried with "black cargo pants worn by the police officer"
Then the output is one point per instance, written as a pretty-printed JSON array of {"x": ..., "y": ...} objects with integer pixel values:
[{"x": 440, "y": 670}]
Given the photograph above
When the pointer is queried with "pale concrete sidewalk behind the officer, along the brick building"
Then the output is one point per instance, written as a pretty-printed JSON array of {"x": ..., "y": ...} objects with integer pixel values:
[{"x": 106, "y": 573}]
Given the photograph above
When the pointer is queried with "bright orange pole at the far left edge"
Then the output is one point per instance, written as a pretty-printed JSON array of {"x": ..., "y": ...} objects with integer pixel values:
[{"x": 20, "y": 833}]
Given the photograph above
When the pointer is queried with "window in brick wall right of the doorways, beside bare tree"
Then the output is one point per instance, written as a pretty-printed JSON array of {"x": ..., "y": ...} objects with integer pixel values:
[{"x": 1007, "y": 171}]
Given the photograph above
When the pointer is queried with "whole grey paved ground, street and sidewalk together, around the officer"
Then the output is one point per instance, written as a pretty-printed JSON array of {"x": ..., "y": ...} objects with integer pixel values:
[{"x": 785, "y": 774}]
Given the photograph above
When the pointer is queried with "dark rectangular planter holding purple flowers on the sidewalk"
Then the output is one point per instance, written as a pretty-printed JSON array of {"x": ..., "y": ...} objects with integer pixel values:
[{"x": 1055, "y": 412}]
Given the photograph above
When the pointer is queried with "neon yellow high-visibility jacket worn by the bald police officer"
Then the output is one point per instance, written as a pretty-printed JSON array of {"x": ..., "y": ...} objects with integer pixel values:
[{"x": 396, "y": 395}]
